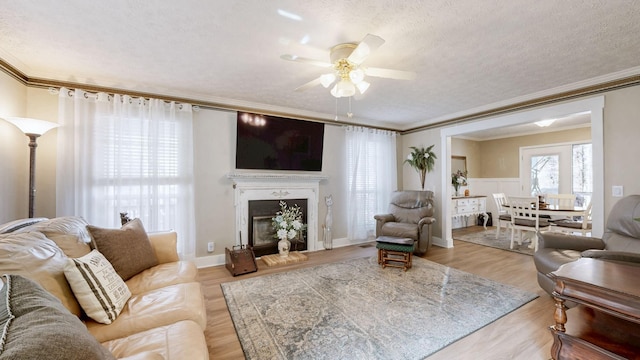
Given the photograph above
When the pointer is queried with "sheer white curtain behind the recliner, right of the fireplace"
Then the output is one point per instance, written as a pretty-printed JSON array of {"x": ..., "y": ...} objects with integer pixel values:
[{"x": 371, "y": 177}]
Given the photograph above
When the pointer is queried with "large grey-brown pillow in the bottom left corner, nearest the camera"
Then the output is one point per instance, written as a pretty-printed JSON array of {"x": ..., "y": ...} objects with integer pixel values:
[{"x": 35, "y": 325}]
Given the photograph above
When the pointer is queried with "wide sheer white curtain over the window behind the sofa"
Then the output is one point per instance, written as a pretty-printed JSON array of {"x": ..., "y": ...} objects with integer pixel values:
[{"x": 123, "y": 154}]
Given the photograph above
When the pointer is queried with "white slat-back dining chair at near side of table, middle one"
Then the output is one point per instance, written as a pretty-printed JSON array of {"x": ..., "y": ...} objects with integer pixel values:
[{"x": 525, "y": 211}]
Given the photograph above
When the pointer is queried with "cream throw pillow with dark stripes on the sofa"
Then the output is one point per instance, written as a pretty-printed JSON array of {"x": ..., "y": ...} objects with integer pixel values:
[{"x": 98, "y": 288}]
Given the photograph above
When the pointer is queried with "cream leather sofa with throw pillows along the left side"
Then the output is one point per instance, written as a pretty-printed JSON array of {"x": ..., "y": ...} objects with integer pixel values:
[{"x": 163, "y": 319}]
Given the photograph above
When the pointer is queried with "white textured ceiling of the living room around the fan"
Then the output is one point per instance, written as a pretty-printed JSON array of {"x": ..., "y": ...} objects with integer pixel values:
[{"x": 469, "y": 55}]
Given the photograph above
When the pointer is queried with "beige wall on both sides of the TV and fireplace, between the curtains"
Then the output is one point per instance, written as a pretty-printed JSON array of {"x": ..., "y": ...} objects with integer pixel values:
[{"x": 215, "y": 144}]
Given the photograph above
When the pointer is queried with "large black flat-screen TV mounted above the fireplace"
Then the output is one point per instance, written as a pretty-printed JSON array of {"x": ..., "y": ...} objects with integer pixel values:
[{"x": 275, "y": 143}]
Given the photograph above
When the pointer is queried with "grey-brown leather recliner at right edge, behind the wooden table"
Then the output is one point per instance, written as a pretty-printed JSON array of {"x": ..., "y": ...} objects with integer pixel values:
[{"x": 620, "y": 242}]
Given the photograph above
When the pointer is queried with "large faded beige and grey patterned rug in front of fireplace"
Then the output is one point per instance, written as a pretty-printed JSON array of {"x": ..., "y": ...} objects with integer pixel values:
[{"x": 357, "y": 310}]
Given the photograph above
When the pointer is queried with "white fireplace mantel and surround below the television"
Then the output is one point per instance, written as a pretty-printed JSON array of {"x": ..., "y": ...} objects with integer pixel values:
[{"x": 275, "y": 186}]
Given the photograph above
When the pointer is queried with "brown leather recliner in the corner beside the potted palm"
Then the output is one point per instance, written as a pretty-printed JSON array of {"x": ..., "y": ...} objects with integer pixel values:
[{"x": 410, "y": 216}]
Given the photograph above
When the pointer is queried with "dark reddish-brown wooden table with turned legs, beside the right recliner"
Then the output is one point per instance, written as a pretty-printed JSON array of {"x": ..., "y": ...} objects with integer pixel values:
[{"x": 606, "y": 322}]
